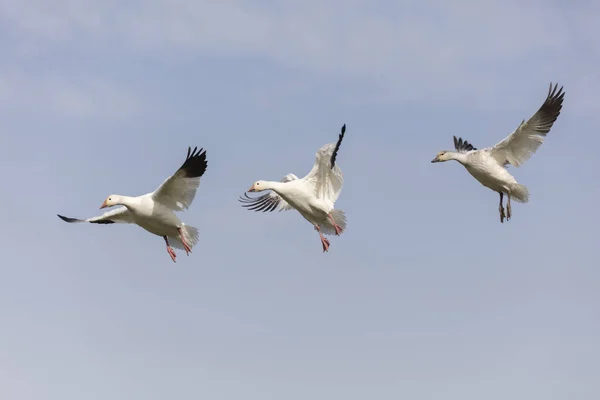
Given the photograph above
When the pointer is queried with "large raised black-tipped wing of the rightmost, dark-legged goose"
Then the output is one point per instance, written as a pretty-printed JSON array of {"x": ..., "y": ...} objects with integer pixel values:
[{"x": 520, "y": 145}]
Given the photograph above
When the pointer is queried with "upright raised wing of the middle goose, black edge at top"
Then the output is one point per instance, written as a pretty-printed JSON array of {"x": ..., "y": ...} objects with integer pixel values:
[{"x": 326, "y": 176}]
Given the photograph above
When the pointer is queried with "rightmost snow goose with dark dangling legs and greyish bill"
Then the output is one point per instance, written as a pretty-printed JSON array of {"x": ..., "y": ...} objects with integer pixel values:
[{"x": 489, "y": 165}]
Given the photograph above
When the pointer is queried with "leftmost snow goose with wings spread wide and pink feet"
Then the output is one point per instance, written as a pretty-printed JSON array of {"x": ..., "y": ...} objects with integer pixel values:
[{"x": 155, "y": 211}]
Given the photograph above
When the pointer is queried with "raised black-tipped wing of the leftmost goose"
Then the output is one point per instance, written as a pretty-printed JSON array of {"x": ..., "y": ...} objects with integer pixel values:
[{"x": 178, "y": 191}]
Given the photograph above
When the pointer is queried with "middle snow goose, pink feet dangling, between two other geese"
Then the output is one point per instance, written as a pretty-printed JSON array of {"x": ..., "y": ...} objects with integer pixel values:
[{"x": 313, "y": 196}]
